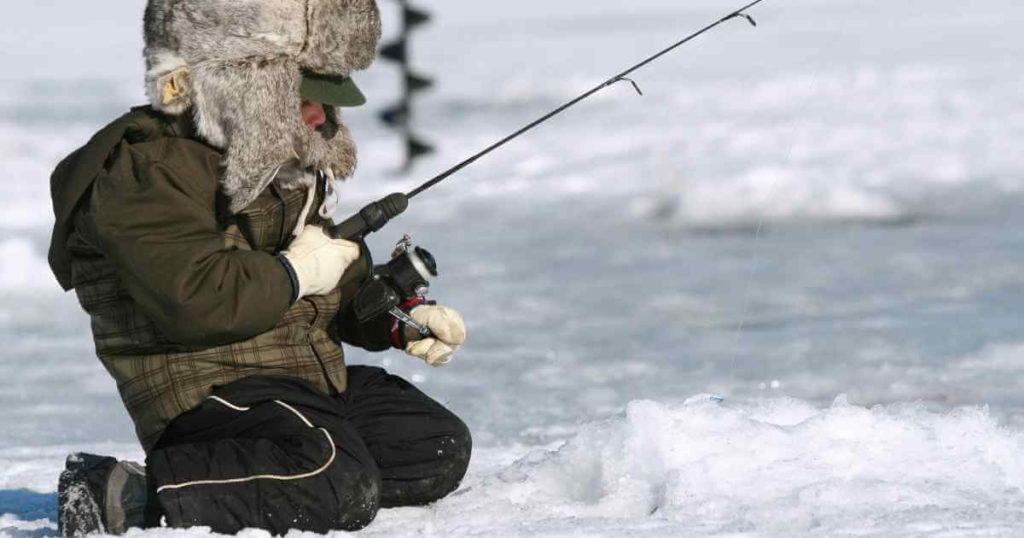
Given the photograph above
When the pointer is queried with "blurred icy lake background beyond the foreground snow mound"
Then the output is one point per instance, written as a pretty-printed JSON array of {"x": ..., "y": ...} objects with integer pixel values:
[{"x": 826, "y": 204}]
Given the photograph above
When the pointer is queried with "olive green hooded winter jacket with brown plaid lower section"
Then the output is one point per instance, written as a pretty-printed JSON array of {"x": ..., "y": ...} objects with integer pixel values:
[{"x": 184, "y": 297}]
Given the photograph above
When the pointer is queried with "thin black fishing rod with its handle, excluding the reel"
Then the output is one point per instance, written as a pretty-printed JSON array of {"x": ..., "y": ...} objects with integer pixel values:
[{"x": 377, "y": 215}]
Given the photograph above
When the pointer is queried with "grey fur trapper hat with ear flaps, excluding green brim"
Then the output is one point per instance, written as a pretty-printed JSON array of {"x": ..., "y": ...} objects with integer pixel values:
[{"x": 237, "y": 67}]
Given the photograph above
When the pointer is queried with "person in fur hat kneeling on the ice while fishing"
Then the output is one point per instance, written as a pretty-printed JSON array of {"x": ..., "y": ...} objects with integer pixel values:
[{"x": 193, "y": 232}]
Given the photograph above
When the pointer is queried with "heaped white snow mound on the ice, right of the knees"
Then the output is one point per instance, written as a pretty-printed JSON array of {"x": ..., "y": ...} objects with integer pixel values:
[{"x": 773, "y": 468}]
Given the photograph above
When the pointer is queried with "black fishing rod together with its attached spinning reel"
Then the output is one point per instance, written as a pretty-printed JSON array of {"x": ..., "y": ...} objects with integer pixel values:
[{"x": 406, "y": 279}]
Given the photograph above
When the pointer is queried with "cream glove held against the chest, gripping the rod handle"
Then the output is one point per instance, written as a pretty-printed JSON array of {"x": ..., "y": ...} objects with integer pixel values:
[{"x": 319, "y": 262}]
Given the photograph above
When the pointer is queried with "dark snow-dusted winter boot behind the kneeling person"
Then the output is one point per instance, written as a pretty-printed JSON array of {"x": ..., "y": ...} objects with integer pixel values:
[{"x": 99, "y": 494}]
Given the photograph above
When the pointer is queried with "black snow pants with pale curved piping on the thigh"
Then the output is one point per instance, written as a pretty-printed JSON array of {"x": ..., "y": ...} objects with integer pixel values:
[{"x": 275, "y": 453}]
